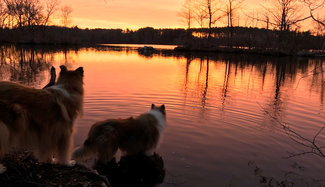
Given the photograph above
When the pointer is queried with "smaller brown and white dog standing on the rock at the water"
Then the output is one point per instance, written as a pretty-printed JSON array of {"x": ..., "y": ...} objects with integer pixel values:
[{"x": 132, "y": 136}]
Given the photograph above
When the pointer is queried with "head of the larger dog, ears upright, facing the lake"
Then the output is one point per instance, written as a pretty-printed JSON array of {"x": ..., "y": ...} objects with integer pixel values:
[{"x": 71, "y": 78}]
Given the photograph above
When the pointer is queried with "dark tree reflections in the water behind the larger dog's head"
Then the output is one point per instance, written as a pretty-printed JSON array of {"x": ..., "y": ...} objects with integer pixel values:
[{"x": 30, "y": 65}]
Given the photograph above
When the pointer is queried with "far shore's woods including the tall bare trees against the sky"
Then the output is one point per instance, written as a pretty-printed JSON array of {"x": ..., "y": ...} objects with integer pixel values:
[{"x": 282, "y": 27}]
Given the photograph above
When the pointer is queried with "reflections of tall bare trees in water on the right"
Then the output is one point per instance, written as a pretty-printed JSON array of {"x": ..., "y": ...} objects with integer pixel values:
[{"x": 269, "y": 73}]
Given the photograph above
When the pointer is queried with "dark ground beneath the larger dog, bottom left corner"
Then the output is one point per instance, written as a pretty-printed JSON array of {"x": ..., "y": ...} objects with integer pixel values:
[{"x": 24, "y": 170}]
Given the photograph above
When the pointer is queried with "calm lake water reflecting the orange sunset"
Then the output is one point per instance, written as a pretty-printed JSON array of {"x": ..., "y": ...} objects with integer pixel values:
[{"x": 223, "y": 111}]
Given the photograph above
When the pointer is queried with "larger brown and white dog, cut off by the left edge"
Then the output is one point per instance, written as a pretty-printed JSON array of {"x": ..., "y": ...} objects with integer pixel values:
[{"x": 41, "y": 120}]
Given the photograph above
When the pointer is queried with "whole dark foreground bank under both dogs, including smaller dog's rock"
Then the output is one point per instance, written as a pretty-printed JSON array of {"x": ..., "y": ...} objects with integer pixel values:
[{"x": 24, "y": 170}]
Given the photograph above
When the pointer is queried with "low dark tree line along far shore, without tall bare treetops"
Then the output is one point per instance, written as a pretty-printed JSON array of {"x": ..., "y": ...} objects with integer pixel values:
[{"x": 258, "y": 40}]
